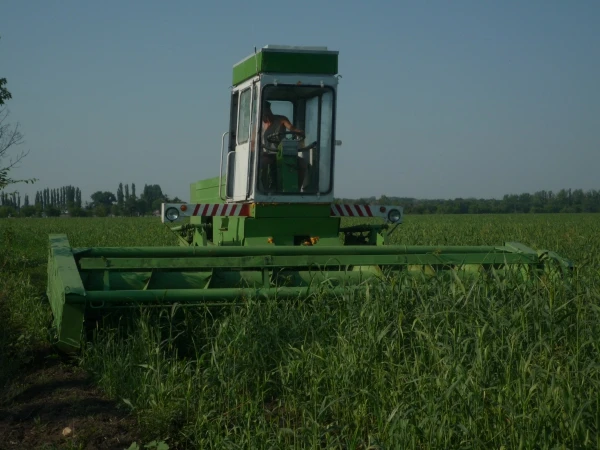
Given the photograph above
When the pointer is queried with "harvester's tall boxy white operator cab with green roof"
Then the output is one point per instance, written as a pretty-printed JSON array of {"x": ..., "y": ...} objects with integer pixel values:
[{"x": 282, "y": 127}]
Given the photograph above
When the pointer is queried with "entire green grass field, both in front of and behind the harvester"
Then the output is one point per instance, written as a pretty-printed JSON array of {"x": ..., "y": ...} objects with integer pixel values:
[{"x": 492, "y": 364}]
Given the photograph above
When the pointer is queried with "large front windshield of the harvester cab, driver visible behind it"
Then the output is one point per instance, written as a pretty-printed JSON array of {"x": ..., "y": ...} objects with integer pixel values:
[{"x": 296, "y": 137}]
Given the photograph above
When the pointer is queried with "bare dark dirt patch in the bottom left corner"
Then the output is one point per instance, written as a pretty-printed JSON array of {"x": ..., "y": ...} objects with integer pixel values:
[{"x": 53, "y": 396}]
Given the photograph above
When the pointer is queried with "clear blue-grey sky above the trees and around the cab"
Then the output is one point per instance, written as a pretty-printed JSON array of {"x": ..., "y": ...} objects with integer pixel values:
[{"x": 437, "y": 99}]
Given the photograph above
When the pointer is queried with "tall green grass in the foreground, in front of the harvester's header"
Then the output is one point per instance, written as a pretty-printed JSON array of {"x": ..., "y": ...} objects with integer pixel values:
[{"x": 421, "y": 366}]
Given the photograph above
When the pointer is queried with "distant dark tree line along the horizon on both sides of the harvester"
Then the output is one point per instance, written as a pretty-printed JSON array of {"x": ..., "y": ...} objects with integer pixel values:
[{"x": 67, "y": 201}]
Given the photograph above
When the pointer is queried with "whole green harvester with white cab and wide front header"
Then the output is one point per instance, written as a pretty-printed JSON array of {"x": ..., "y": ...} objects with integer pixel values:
[{"x": 268, "y": 225}]
